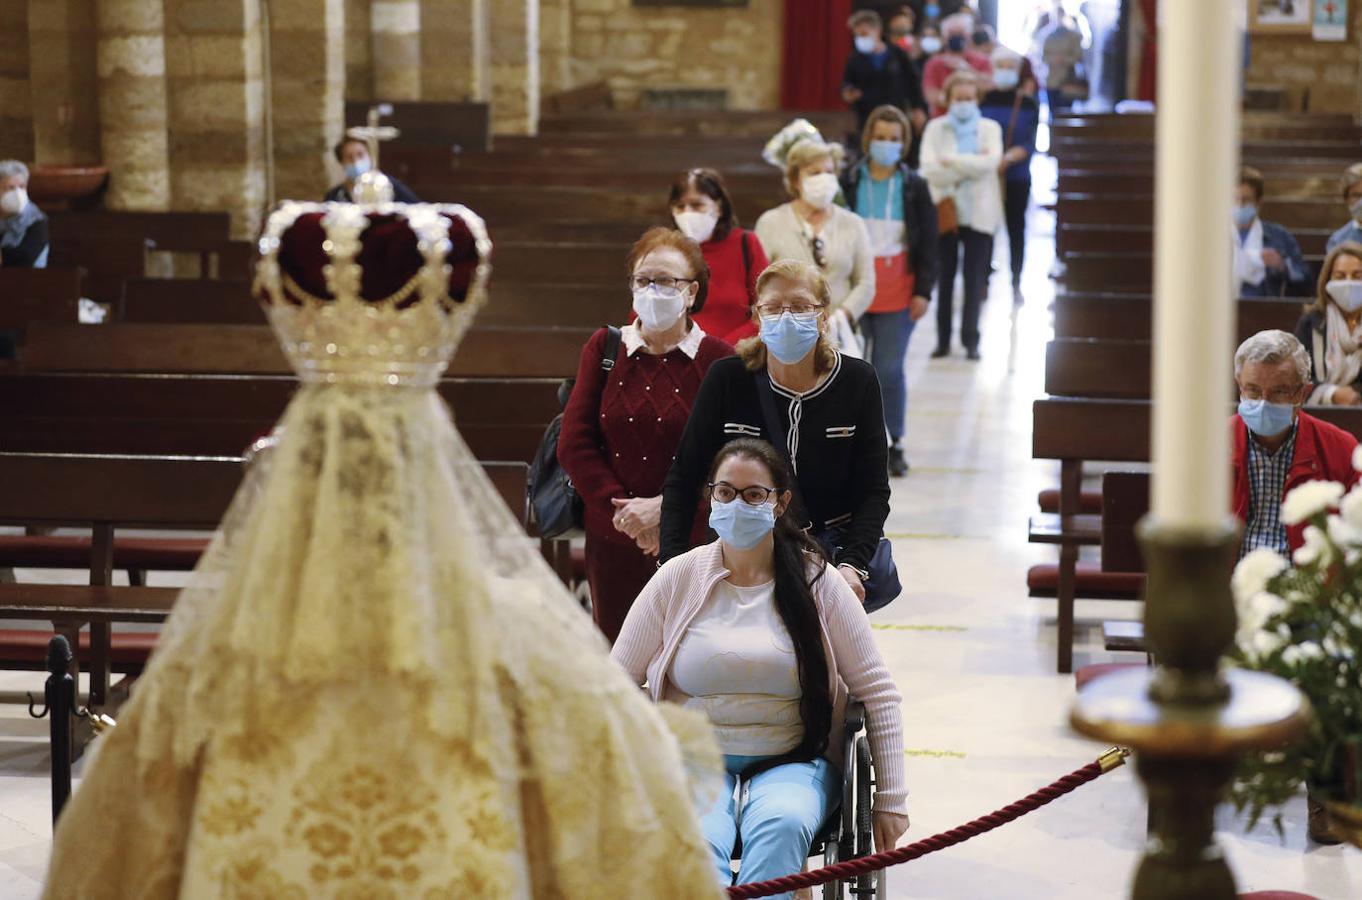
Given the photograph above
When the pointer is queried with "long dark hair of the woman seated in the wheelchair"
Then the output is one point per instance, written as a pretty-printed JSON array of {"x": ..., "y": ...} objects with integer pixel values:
[{"x": 799, "y": 566}]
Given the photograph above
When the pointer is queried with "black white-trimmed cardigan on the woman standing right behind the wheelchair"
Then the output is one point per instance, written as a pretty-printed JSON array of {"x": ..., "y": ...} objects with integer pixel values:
[{"x": 840, "y": 450}]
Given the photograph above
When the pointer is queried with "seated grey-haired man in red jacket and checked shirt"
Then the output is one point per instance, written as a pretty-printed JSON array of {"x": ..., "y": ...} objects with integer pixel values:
[{"x": 1277, "y": 446}]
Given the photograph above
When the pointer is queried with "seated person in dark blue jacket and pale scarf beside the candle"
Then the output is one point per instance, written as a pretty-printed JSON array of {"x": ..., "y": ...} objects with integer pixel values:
[{"x": 1267, "y": 258}]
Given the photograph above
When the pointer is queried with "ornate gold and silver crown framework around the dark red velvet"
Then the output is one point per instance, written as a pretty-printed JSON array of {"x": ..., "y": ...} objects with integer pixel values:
[{"x": 407, "y": 338}]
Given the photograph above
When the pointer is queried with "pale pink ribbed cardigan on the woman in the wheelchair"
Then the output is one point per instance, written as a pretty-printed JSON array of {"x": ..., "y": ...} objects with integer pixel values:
[{"x": 671, "y": 601}]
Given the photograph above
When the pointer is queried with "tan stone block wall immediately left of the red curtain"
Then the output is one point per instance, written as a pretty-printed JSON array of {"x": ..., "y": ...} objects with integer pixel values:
[{"x": 638, "y": 48}]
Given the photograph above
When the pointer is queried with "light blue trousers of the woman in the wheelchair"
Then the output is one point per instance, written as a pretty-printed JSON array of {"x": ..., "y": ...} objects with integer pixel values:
[{"x": 780, "y": 814}]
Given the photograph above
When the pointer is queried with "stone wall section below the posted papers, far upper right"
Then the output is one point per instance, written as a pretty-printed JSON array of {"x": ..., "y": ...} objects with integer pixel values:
[{"x": 1327, "y": 73}]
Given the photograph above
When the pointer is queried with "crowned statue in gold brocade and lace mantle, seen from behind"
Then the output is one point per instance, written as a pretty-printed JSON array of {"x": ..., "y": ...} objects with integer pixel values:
[{"x": 374, "y": 687}]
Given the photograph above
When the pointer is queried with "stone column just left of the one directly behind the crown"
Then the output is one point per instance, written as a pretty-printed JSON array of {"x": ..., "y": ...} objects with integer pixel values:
[{"x": 215, "y": 66}]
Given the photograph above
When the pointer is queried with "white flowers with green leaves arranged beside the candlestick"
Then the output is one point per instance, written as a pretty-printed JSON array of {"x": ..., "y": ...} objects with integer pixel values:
[{"x": 1303, "y": 622}]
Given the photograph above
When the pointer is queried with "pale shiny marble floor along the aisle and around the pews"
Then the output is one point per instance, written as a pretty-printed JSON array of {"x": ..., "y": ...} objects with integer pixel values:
[{"x": 985, "y": 713}]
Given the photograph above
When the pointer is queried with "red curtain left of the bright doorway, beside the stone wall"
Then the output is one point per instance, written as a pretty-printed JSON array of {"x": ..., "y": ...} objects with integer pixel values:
[{"x": 817, "y": 48}]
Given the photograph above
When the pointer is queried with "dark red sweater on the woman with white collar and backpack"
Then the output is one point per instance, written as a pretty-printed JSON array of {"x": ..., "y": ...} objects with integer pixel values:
[{"x": 622, "y": 428}]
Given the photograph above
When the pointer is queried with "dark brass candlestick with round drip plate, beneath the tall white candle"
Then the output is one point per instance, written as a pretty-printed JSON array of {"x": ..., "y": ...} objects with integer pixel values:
[{"x": 1188, "y": 722}]
